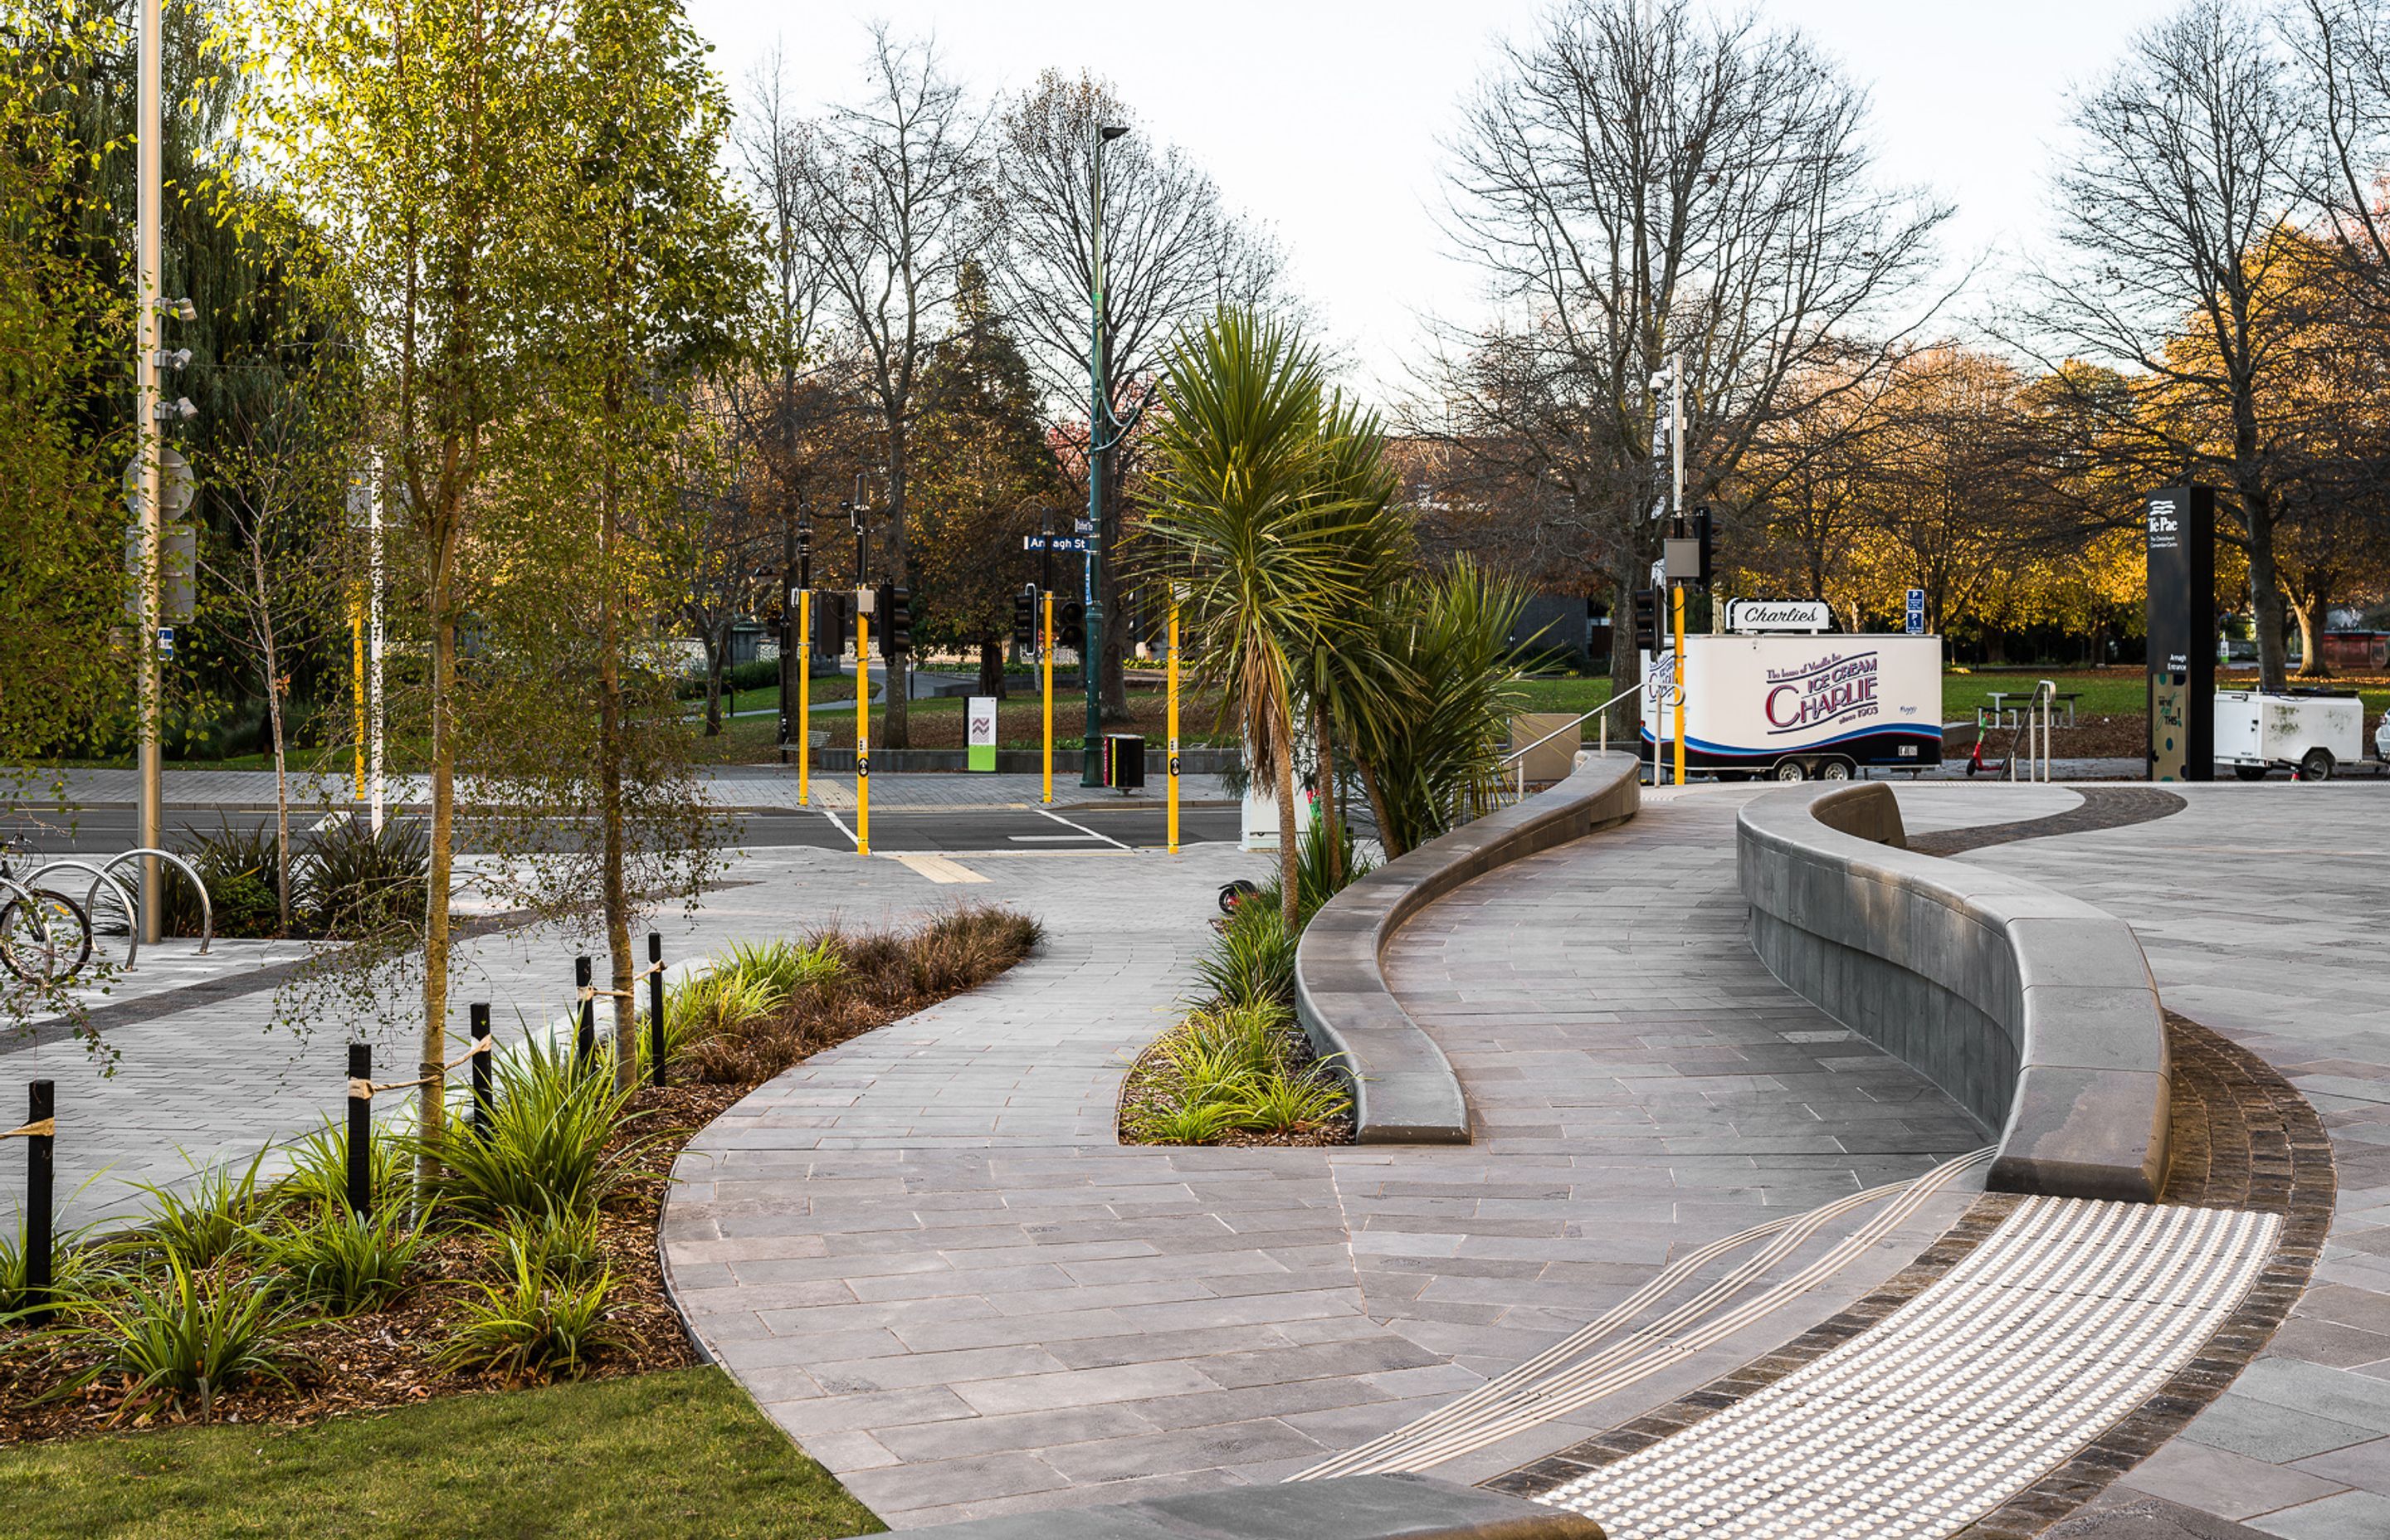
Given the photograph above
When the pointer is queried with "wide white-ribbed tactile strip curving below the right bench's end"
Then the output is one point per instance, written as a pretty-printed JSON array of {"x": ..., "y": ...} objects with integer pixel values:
[{"x": 2047, "y": 1333}]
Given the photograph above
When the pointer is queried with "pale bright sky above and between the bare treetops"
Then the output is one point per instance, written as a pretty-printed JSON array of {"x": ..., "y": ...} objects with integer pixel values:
[{"x": 1323, "y": 118}]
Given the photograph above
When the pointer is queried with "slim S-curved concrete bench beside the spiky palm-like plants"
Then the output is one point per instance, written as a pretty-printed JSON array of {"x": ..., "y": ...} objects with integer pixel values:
[{"x": 1404, "y": 1089}]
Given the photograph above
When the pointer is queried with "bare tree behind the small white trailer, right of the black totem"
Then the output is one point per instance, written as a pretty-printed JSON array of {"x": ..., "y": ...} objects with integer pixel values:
[{"x": 2190, "y": 161}]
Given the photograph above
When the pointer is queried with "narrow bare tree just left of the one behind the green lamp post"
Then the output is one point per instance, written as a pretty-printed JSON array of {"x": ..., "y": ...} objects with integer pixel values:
[{"x": 893, "y": 195}]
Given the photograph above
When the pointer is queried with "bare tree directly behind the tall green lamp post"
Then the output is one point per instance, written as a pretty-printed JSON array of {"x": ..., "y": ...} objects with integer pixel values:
[{"x": 1172, "y": 257}]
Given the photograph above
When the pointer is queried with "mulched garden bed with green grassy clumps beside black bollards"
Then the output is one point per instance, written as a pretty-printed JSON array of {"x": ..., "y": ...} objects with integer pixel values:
[{"x": 560, "y": 1257}]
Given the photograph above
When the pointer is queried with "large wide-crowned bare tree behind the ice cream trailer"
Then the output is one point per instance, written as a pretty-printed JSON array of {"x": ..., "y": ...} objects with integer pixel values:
[{"x": 1643, "y": 181}]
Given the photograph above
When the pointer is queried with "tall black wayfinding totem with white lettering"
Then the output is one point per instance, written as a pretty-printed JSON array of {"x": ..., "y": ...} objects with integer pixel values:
[{"x": 2181, "y": 632}]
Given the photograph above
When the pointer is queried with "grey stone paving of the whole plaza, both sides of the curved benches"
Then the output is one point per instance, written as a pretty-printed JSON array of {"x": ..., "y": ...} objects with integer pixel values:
[{"x": 933, "y": 1264}]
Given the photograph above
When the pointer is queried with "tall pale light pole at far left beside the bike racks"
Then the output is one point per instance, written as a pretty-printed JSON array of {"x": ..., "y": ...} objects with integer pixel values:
[{"x": 149, "y": 405}]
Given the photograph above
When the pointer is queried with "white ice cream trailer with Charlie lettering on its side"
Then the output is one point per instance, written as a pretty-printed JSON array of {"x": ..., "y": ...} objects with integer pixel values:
[{"x": 1801, "y": 707}]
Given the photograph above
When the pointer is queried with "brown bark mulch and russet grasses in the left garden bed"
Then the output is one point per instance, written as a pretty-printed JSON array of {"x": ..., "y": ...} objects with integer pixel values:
[{"x": 391, "y": 1359}]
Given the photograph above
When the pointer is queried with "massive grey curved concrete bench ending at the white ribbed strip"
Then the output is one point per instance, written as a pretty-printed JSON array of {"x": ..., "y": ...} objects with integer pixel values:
[{"x": 2033, "y": 1010}]
